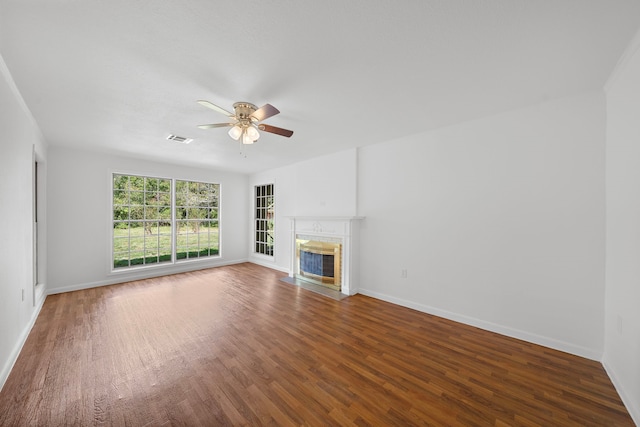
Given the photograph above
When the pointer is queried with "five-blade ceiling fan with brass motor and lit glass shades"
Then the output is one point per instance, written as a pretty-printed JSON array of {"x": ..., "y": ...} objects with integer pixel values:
[{"x": 246, "y": 120}]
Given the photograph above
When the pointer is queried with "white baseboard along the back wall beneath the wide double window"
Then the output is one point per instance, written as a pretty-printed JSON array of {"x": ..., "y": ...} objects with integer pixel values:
[{"x": 143, "y": 274}]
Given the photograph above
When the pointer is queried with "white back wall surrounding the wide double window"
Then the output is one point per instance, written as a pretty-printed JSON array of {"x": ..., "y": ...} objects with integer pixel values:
[{"x": 79, "y": 217}]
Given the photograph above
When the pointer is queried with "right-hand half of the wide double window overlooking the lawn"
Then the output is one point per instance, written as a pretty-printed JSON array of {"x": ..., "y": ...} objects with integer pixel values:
[{"x": 196, "y": 219}]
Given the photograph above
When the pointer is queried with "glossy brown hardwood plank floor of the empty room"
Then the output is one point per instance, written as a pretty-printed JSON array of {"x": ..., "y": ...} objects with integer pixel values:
[{"x": 236, "y": 346}]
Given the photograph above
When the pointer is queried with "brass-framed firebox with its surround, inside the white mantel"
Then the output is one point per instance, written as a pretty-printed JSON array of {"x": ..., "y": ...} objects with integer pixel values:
[{"x": 320, "y": 262}]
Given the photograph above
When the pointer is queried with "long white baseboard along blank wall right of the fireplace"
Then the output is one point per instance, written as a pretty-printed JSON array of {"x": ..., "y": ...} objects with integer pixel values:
[{"x": 489, "y": 326}]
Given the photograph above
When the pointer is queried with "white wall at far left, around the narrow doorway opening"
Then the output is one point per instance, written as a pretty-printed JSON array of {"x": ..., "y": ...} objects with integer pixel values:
[{"x": 19, "y": 137}]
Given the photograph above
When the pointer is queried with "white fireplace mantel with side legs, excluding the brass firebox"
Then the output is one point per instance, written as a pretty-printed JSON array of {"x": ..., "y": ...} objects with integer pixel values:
[{"x": 343, "y": 228}]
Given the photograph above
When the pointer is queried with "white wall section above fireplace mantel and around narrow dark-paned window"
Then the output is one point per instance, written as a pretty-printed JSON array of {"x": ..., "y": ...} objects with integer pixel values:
[{"x": 323, "y": 186}]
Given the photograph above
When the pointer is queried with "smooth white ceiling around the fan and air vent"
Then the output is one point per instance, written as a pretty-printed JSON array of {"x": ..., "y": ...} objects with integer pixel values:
[{"x": 119, "y": 76}]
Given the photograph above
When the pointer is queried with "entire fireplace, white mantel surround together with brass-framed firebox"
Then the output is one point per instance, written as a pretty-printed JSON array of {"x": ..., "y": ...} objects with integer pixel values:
[{"x": 324, "y": 251}]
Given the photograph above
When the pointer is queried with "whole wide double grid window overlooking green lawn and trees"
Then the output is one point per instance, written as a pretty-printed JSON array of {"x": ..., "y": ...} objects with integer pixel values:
[{"x": 143, "y": 222}]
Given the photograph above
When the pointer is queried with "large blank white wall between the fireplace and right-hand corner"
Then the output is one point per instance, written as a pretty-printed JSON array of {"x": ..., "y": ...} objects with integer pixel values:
[{"x": 499, "y": 223}]
